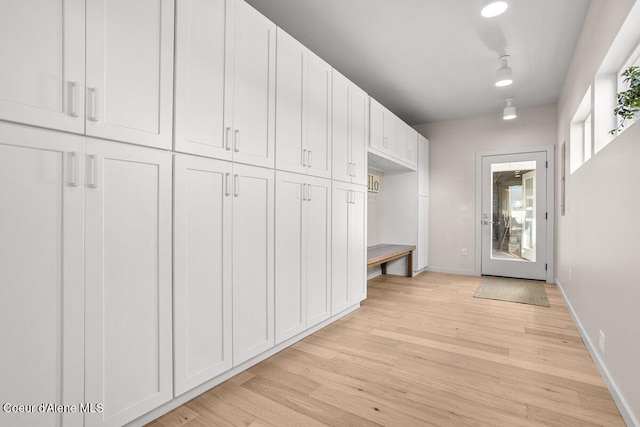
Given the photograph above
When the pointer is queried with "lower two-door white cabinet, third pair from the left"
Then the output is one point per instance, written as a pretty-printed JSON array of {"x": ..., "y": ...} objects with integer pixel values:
[{"x": 303, "y": 253}]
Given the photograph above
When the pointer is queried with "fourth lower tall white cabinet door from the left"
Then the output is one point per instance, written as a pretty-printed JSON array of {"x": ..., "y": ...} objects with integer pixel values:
[{"x": 253, "y": 262}]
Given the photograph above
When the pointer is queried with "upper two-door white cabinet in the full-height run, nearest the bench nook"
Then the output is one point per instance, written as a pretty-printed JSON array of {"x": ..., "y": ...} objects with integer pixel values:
[{"x": 350, "y": 131}]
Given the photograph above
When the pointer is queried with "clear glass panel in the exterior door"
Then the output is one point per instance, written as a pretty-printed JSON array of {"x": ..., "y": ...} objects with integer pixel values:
[{"x": 513, "y": 212}]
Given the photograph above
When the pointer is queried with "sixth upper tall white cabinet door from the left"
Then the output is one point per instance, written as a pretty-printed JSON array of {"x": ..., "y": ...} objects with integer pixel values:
[{"x": 317, "y": 129}]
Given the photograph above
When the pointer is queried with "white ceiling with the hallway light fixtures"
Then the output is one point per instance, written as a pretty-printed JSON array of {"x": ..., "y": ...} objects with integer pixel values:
[{"x": 431, "y": 60}]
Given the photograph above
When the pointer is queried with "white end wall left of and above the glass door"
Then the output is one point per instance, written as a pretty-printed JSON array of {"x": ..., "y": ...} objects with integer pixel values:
[{"x": 452, "y": 175}]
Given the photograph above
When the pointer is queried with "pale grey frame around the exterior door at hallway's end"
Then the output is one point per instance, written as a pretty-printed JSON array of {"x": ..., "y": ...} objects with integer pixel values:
[{"x": 551, "y": 207}]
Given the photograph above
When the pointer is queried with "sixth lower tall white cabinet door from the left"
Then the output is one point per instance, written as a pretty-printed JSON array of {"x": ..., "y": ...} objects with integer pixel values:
[{"x": 318, "y": 250}]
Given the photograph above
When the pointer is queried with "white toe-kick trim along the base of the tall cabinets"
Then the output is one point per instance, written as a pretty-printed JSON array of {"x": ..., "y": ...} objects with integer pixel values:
[{"x": 196, "y": 391}]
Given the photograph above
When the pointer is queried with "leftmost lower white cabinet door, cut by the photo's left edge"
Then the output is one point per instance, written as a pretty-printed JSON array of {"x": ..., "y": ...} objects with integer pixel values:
[{"x": 41, "y": 272}]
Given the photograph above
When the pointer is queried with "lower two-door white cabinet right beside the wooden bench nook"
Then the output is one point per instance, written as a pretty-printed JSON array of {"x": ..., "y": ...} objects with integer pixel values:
[{"x": 349, "y": 246}]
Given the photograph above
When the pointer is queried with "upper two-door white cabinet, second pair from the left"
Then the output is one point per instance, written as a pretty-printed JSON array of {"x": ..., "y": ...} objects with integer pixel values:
[{"x": 225, "y": 82}]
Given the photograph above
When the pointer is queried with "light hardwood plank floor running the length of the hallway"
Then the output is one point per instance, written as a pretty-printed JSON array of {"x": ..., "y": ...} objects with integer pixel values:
[{"x": 420, "y": 351}]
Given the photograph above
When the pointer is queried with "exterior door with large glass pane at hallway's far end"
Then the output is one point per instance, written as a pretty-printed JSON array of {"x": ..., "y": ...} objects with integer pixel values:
[{"x": 514, "y": 212}]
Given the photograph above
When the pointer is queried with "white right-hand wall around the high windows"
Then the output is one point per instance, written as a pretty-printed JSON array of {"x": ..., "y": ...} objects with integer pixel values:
[{"x": 598, "y": 241}]
